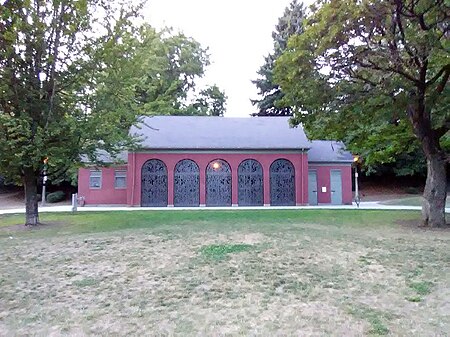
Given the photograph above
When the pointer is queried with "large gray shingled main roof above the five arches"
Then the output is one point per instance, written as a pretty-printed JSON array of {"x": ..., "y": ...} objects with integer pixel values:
[{"x": 220, "y": 133}]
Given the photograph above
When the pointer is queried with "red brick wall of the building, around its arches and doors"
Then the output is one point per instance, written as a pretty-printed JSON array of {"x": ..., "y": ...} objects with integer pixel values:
[{"x": 132, "y": 194}]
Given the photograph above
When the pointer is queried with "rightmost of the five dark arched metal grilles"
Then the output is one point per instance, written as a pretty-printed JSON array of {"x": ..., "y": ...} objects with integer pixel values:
[{"x": 282, "y": 183}]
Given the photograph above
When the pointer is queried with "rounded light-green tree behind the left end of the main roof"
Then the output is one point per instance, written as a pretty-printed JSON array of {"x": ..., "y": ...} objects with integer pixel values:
[{"x": 171, "y": 69}]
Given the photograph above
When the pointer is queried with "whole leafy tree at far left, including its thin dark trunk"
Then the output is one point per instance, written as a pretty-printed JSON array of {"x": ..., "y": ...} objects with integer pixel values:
[{"x": 49, "y": 57}]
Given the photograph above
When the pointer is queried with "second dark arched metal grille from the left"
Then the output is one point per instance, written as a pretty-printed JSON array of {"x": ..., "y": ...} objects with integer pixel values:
[{"x": 186, "y": 184}]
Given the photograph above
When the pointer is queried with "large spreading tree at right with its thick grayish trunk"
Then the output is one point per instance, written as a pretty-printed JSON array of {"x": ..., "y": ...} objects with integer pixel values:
[{"x": 376, "y": 72}]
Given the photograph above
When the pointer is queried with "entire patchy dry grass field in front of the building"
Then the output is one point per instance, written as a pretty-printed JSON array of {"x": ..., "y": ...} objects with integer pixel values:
[{"x": 315, "y": 272}]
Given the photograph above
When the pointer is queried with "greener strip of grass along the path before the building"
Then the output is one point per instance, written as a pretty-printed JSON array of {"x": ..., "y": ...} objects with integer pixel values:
[{"x": 93, "y": 222}]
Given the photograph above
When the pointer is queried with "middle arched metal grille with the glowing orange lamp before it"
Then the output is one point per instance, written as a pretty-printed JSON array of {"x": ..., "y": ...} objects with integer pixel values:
[{"x": 218, "y": 183}]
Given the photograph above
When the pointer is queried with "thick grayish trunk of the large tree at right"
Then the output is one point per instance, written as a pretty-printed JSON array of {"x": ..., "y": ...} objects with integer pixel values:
[{"x": 435, "y": 193}]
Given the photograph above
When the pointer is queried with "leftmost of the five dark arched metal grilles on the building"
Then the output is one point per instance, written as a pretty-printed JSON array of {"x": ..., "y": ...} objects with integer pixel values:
[{"x": 154, "y": 183}]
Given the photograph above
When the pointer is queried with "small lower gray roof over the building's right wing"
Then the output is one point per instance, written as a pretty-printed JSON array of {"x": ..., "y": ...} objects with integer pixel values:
[{"x": 329, "y": 151}]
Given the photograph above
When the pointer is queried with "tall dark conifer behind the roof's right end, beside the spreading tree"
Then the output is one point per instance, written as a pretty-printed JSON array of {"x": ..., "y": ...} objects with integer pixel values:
[{"x": 289, "y": 24}]
